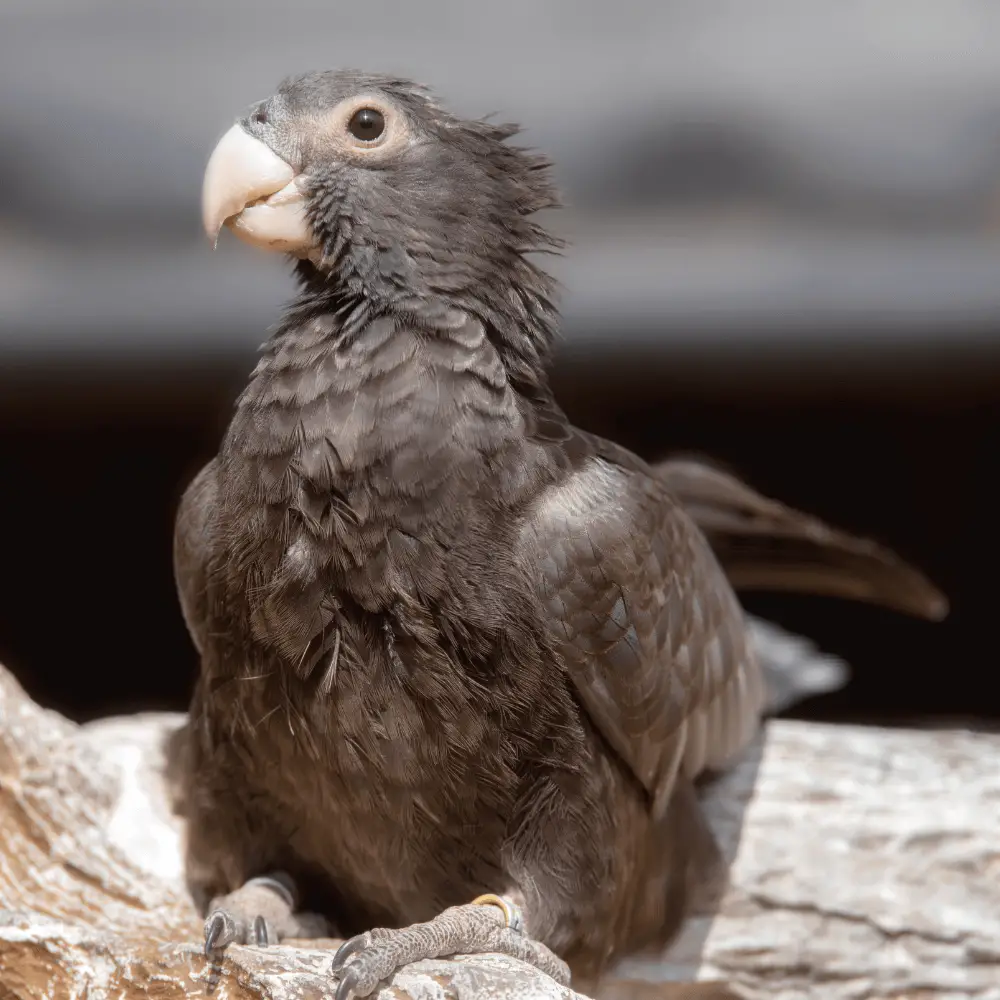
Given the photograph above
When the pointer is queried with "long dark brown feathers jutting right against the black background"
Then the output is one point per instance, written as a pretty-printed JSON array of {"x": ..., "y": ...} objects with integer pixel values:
[{"x": 765, "y": 545}]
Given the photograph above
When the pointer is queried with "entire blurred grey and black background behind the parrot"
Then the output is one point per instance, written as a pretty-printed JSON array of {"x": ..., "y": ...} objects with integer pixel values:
[{"x": 785, "y": 228}]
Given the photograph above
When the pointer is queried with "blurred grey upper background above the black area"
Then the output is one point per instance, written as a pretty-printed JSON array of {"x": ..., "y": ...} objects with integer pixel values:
[{"x": 812, "y": 177}]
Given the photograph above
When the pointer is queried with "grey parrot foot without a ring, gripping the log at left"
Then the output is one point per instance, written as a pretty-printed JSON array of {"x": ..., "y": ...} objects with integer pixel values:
[{"x": 261, "y": 912}]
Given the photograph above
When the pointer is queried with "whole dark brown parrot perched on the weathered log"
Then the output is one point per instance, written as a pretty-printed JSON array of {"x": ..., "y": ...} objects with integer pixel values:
[{"x": 450, "y": 644}]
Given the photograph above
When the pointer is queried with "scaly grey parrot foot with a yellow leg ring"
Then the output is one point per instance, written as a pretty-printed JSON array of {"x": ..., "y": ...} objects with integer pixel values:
[{"x": 490, "y": 924}]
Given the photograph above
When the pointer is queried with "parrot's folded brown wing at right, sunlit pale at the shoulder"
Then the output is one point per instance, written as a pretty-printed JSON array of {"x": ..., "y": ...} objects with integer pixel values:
[{"x": 651, "y": 633}]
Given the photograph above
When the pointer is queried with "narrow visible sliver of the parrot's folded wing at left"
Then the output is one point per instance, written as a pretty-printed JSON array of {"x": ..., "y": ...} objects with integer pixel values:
[{"x": 191, "y": 541}]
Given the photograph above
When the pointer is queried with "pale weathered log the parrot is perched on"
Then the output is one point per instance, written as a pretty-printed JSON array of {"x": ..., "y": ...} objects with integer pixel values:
[{"x": 865, "y": 864}]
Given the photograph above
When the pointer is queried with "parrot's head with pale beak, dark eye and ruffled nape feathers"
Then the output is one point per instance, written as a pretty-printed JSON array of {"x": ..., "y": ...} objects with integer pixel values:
[{"x": 371, "y": 182}]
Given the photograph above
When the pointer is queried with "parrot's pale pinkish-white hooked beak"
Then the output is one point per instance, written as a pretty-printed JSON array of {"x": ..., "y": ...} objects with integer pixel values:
[{"x": 249, "y": 188}]
